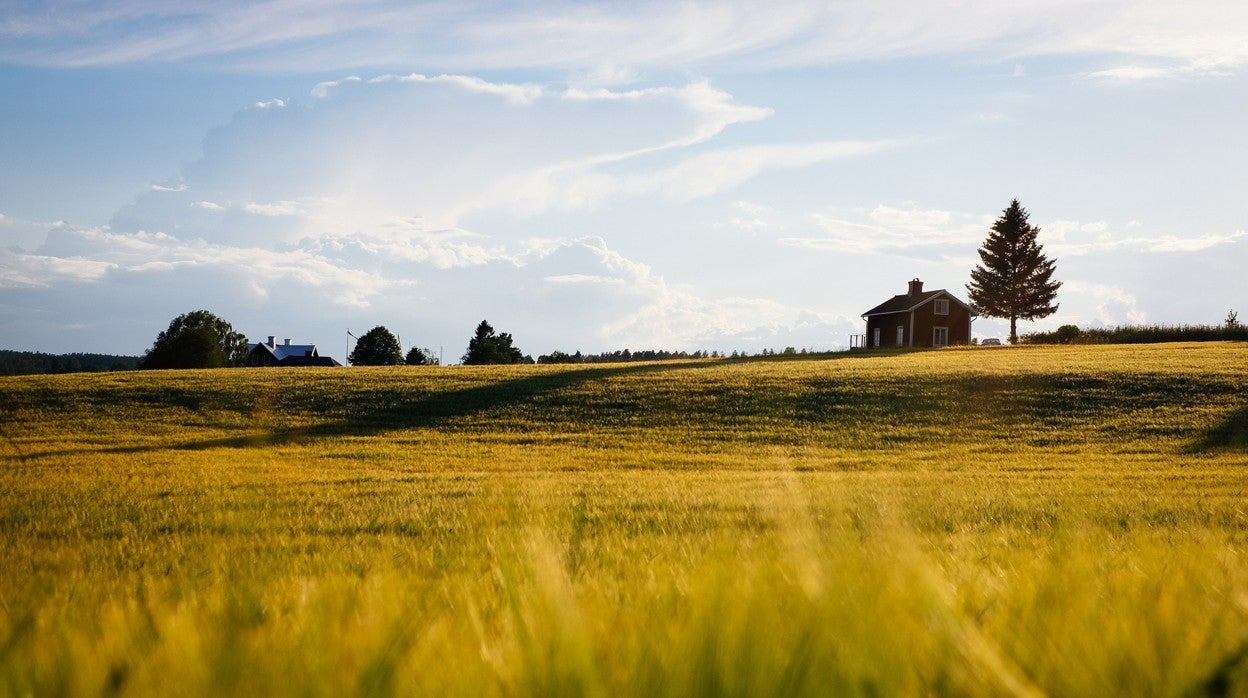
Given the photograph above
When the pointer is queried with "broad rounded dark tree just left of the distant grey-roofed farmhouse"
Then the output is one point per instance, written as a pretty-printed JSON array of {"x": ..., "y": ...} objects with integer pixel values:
[{"x": 197, "y": 340}]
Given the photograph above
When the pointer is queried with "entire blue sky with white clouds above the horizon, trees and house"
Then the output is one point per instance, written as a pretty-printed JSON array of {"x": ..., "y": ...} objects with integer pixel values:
[{"x": 602, "y": 175}]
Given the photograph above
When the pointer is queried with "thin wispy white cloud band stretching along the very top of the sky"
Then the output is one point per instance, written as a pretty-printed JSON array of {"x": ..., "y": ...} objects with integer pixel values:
[{"x": 596, "y": 39}]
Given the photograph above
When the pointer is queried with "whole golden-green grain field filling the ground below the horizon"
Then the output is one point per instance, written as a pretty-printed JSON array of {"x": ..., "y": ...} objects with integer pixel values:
[{"x": 1035, "y": 521}]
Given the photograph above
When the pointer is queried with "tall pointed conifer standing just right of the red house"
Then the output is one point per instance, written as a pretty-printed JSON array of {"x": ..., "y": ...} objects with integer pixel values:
[{"x": 1016, "y": 279}]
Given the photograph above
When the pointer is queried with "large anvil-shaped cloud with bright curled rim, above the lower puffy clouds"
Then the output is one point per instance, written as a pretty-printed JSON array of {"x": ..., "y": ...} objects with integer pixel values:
[{"x": 452, "y": 147}]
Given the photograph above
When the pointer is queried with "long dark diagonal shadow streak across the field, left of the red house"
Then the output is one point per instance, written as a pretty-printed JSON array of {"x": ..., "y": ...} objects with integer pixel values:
[{"x": 375, "y": 413}]
